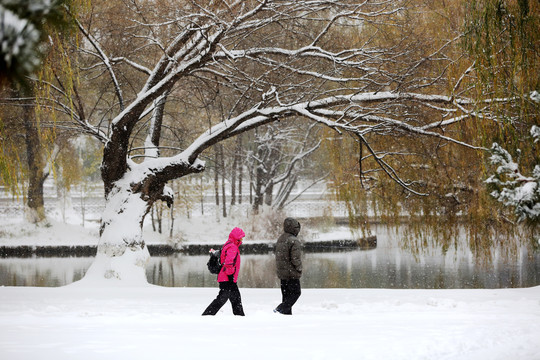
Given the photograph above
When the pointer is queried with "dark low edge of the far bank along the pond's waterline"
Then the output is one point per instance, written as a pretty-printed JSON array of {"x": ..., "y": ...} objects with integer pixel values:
[{"x": 27, "y": 251}]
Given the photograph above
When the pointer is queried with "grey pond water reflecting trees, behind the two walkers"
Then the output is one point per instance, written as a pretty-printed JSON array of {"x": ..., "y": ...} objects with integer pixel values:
[{"x": 387, "y": 266}]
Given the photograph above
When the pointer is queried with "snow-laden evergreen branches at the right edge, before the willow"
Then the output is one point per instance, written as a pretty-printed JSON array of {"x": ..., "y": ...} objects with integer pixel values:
[{"x": 512, "y": 188}]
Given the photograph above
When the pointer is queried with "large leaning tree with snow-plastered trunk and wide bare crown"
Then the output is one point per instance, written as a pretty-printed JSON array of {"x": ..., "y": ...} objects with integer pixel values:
[{"x": 144, "y": 55}]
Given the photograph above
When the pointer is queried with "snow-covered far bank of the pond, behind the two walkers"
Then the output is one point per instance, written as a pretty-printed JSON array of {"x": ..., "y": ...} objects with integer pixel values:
[{"x": 193, "y": 236}]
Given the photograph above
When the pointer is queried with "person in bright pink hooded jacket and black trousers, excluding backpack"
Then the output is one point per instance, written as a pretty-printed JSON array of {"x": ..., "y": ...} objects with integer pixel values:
[{"x": 227, "y": 277}]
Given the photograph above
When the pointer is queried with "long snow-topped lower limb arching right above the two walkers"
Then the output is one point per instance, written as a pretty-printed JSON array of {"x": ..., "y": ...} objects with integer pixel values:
[{"x": 320, "y": 111}]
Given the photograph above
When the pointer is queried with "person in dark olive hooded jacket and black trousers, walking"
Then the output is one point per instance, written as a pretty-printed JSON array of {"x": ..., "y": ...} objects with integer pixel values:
[{"x": 289, "y": 265}]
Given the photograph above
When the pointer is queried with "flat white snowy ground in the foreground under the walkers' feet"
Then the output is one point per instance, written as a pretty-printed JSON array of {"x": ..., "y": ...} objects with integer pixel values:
[{"x": 76, "y": 322}]
